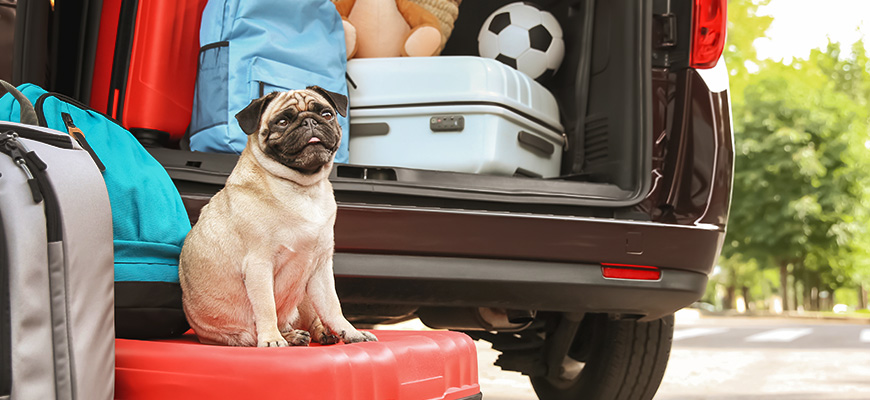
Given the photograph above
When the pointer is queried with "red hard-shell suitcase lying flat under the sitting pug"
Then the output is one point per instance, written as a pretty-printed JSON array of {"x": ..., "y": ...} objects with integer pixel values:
[{"x": 402, "y": 365}]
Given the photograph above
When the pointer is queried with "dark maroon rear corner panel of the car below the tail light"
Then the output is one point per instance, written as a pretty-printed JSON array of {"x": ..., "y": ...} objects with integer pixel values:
[{"x": 693, "y": 156}]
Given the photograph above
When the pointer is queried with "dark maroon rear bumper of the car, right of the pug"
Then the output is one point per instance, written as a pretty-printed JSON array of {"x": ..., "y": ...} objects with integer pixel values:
[{"x": 464, "y": 258}]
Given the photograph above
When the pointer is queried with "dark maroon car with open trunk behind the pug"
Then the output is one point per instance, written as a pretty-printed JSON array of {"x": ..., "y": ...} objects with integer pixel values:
[{"x": 574, "y": 280}]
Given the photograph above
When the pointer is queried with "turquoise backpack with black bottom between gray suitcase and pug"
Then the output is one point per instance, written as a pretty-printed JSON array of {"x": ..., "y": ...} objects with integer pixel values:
[{"x": 148, "y": 218}]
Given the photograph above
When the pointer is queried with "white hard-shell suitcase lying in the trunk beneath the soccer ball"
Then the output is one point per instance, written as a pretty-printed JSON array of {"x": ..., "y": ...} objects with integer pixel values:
[{"x": 460, "y": 114}]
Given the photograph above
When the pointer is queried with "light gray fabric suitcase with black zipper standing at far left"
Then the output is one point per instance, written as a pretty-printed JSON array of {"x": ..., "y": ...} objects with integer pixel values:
[{"x": 56, "y": 267}]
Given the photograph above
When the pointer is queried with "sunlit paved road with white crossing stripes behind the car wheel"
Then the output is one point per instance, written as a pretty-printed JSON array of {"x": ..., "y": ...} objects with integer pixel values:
[{"x": 741, "y": 359}]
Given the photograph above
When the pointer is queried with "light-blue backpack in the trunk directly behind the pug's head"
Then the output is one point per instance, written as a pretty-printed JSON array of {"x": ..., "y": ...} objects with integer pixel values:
[{"x": 251, "y": 48}]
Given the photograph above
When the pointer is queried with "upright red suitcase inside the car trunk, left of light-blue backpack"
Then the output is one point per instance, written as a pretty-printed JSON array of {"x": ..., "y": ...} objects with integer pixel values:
[{"x": 145, "y": 67}]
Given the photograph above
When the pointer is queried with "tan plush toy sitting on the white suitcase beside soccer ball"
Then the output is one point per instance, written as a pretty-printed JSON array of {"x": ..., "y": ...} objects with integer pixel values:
[{"x": 389, "y": 28}]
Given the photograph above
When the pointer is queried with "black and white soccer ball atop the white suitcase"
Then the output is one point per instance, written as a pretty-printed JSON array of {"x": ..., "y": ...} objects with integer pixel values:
[{"x": 525, "y": 37}]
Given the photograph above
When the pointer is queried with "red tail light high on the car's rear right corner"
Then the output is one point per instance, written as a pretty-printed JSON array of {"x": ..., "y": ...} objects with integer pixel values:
[{"x": 708, "y": 32}]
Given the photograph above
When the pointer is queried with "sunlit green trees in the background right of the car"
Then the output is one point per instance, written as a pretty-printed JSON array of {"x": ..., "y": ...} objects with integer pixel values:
[{"x": 798, "y": 228}]
